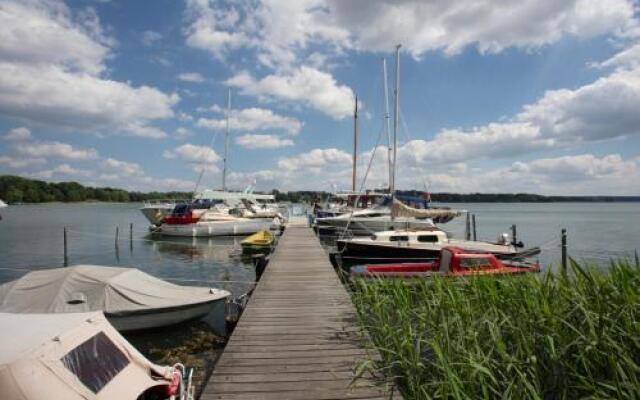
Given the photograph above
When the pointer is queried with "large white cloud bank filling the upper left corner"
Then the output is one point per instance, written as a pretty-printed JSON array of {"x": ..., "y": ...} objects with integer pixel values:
[{"x": 51, "y": 72}]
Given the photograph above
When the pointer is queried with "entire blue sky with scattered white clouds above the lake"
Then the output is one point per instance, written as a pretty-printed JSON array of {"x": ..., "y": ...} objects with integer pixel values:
[{"x": 535, "y": 96}]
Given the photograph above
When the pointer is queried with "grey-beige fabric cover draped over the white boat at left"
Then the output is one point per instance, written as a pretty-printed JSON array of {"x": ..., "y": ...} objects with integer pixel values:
[{"x": 83, "y": 288}]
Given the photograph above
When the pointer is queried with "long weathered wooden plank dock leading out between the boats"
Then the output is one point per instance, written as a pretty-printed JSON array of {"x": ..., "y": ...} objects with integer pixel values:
[{"x": 298, "y": 338}]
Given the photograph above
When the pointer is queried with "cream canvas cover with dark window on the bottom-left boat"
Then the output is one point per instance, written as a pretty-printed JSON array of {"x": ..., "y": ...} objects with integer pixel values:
[{"x": 71, "y": 356}]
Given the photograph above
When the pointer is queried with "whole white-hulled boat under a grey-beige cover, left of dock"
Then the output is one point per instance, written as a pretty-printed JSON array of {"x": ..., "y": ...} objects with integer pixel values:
[{"x": 130, "y": 298}]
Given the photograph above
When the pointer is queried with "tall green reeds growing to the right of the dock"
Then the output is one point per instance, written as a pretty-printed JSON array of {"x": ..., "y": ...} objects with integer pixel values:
[{"x": 551, "y": 336}]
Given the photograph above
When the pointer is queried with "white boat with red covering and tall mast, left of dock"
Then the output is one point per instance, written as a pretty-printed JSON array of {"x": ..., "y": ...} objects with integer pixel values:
[{"x": 221, "y": 213}]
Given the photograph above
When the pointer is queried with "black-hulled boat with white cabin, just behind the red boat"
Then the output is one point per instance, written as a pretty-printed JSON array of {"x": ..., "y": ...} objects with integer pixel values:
[{"x": 418, "y": 245}]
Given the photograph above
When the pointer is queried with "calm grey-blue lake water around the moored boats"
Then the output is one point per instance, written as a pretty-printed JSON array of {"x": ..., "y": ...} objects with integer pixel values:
[{"x": 31, "y": 237}]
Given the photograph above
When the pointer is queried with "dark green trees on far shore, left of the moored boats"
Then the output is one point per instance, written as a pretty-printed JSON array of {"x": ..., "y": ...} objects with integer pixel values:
[{"x": 14, "y": 189}]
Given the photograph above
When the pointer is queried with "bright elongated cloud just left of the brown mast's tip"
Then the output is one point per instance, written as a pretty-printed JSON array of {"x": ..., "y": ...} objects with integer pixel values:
[{"x": 305, "y": 85}]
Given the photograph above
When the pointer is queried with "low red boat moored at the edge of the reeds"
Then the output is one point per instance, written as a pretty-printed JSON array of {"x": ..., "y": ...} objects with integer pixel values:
[{"x": 452, "y": 261}]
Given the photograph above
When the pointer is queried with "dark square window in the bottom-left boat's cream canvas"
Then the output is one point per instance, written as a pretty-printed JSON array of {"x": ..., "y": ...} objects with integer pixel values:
[{"x": 95, "y": 362}]
